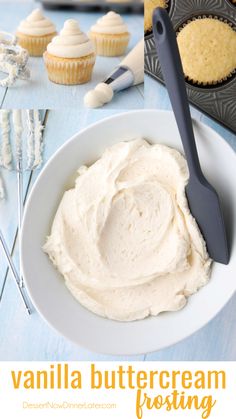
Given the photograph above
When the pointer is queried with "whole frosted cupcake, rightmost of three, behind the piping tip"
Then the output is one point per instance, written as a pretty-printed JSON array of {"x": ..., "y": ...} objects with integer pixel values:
[{"x": 110, "y": 35}]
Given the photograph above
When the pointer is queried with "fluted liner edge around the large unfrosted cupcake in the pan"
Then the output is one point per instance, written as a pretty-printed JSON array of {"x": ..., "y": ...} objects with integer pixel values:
[{"x": 222, "y": 80}]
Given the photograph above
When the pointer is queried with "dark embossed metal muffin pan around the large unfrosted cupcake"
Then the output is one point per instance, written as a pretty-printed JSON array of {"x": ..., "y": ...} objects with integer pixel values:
[{"x": 218, "y": 101}]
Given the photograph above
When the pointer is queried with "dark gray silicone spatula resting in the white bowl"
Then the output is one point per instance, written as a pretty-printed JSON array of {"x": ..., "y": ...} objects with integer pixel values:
[{"x": 203, "y": 199}]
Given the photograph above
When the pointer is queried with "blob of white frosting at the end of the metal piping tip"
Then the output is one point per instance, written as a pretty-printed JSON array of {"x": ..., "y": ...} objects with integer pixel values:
[{"x": 96, "y": 98}]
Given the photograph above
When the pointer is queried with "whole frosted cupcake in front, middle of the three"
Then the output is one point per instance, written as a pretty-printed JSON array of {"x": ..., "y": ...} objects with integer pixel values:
[{"x": 70, "y": 56}]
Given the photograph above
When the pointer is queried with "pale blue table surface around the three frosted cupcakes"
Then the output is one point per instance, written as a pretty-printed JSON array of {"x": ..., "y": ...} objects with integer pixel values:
[{"x": 39, "y": 92}]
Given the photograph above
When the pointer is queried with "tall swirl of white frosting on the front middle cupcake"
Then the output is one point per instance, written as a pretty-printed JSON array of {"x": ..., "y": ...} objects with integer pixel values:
[{"x": 71, "y": 42}]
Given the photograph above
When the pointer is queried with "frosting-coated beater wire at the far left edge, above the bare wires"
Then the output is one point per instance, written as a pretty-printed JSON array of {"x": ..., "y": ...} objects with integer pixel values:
[{"x": 6, "y": 152}]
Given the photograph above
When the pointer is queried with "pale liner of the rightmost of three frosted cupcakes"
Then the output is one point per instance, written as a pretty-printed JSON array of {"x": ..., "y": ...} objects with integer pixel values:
[{"x": 110, "y": 45}]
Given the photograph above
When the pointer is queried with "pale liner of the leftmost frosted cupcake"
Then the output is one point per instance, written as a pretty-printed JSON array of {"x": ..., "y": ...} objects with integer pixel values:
[{"x": 35, "y": 45}]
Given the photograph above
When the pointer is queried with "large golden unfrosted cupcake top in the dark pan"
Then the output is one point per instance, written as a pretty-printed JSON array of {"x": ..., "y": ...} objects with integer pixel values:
[{"x": 208, "y": 50}]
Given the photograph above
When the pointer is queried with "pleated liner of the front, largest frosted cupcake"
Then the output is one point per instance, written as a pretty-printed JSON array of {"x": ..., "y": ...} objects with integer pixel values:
[{"x": 69, "y": 71}]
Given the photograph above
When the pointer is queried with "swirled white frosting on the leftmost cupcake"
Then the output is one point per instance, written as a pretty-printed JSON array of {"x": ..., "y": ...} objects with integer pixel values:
[{"x": 36, "y": 25}]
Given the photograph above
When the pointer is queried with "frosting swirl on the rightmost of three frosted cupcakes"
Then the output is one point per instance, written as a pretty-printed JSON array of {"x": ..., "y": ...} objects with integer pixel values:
[{"x": 111, "y": 23}]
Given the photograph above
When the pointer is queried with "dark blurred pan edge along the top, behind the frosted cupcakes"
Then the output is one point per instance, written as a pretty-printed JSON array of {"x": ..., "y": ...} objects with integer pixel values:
[{"x": 124, "y": 6}]
